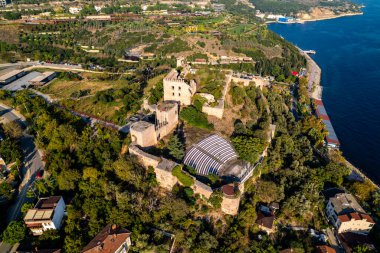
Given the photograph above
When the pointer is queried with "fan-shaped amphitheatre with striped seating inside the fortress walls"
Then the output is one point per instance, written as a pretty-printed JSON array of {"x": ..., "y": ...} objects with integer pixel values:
[{"x": 215, "y": 155}]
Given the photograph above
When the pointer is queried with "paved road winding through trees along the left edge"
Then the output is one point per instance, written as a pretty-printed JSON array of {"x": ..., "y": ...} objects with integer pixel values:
[{"x": 32, "y": 163}]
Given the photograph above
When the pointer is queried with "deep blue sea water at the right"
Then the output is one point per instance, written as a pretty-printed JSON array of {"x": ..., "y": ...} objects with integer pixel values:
[{"x": 348, "y": 52}]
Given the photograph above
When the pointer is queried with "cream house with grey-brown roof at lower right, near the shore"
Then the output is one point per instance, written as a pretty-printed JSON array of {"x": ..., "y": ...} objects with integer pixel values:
[{"x": 347, "y": 215}]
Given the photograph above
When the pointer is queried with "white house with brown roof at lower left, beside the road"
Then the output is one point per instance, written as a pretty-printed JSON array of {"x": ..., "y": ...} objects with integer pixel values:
[{"x": 47, "y": 214}]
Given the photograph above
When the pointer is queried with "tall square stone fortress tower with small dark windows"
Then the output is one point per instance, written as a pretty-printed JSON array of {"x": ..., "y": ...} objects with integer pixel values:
[{"x": 177, "y": 88}]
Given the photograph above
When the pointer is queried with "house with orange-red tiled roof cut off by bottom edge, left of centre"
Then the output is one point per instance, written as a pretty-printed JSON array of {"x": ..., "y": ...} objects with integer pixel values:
[{"x": 112, "y": 239}]
